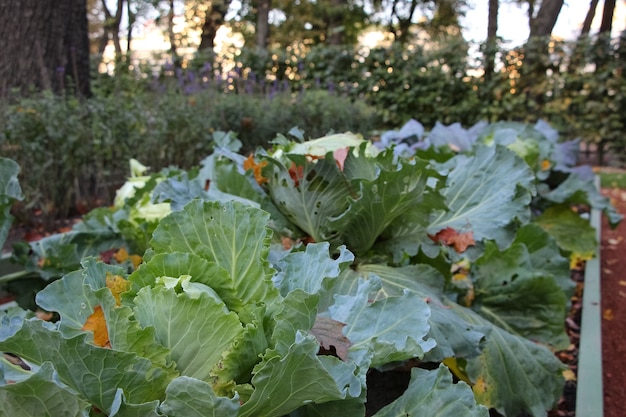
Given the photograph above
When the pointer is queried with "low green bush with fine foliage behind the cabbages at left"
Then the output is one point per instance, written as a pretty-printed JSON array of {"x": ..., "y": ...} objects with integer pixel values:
[{"x": 74, "y": 153}]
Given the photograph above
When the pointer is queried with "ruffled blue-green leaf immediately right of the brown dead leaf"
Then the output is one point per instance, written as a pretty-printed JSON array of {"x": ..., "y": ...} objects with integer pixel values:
[{"x": 392, "y": 328}]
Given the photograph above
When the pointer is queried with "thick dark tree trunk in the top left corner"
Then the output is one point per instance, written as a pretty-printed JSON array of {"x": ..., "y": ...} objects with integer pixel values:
[{"x": 45, "y": 43}]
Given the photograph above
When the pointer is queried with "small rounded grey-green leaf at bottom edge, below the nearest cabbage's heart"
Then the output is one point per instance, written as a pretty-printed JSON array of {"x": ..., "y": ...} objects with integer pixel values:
[{"x": 189, "y": 397}]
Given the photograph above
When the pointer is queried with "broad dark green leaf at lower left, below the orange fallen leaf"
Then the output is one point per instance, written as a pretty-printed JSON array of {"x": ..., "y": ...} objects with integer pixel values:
[{"x": 95, "y": 373}]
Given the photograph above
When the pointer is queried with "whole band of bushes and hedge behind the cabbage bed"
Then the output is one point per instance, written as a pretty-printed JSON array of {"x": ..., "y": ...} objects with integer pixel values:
[{"x": 74, "y": 152}]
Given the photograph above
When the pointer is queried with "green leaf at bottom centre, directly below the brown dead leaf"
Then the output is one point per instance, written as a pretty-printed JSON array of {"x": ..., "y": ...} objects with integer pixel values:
[{"x": 314, "y": 378}]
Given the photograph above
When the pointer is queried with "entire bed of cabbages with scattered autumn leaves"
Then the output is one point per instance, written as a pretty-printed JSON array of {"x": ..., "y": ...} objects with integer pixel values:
[{"x": 332, "y": 259}]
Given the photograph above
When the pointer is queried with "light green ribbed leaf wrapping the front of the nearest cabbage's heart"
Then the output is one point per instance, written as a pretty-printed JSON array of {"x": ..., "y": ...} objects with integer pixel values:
[{"x": 196, "y": 329}]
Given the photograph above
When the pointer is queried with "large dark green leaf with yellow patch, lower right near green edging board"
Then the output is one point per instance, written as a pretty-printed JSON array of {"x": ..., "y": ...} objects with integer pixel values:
[{"x": 513, "y": 374}]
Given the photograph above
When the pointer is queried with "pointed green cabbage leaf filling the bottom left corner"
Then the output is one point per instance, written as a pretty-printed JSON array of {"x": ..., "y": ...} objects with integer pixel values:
[{"x": 41, "y": 395}]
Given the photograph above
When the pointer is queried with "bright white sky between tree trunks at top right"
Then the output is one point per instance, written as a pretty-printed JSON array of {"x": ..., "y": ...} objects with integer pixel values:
[{"x": 513, "y": 21}]
